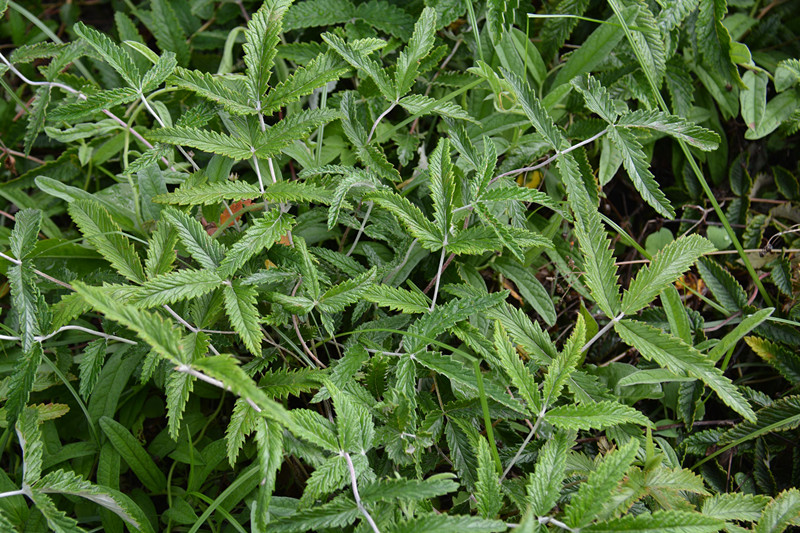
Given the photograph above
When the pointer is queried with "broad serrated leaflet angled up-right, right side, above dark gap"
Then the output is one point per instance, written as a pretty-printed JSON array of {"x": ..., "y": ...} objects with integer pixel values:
[{"x": 667, "y": 265}]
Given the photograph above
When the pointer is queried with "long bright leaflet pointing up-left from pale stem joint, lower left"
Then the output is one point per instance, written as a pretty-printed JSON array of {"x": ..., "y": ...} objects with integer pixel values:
[{"x": 160, "y": 334}]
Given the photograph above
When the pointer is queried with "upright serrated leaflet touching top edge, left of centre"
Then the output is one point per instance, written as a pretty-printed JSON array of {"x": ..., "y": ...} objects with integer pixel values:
[{"x": 263, "y": 35}]
